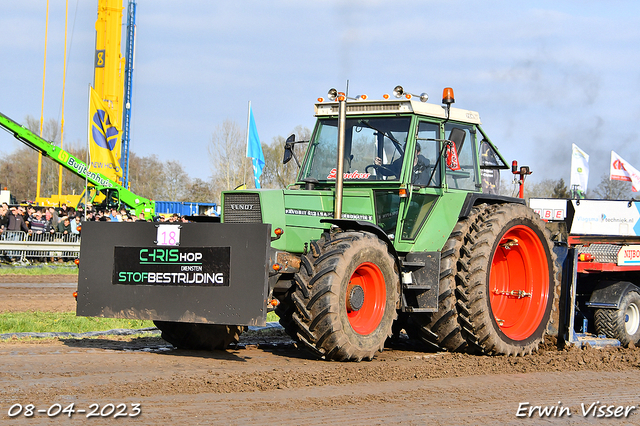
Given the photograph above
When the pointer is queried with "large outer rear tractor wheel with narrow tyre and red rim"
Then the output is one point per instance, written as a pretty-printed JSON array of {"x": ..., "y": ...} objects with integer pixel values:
[{"x": 507, "y": 298}]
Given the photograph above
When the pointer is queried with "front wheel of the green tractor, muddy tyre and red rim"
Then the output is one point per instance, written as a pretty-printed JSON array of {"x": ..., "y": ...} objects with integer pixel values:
[{"x": 345, "y": 298}]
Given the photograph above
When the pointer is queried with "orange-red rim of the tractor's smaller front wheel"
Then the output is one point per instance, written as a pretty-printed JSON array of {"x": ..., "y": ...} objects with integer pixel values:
[{"x": 366, "y": 319}]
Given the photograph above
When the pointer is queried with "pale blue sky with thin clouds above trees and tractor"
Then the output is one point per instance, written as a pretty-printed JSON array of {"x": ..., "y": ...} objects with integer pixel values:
[{"x": 542, "y": 74}]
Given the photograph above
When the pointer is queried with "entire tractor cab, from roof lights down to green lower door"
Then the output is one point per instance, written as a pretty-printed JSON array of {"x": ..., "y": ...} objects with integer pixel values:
[{"x": 408, "y": 155}]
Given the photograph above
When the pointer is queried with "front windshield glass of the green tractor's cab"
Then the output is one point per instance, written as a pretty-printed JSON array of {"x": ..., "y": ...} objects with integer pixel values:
[{"x": 374, "y": 149}]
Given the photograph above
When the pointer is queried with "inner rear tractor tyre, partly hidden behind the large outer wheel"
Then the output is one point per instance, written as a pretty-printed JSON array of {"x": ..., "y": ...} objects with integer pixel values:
[{"x": 441, "y": 330}]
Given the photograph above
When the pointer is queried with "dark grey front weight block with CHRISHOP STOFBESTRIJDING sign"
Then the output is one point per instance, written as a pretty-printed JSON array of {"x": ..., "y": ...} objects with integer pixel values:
[{"x": 193, "y": 272}]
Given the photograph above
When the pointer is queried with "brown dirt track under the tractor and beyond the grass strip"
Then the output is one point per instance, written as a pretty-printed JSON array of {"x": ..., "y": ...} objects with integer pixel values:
[{"x": 267, "y": 380}]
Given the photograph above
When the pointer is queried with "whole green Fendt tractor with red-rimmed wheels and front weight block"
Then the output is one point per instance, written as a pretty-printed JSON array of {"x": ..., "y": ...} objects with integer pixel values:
[{"x": 387, "y": 228}]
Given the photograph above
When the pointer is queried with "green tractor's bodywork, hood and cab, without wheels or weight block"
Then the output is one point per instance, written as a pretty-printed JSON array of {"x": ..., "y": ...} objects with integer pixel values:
[{"x": 416, "y": 217}]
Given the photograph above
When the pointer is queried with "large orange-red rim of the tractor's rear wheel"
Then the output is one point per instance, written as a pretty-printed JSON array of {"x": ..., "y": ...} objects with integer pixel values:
[{"x": 519, "y": 283}]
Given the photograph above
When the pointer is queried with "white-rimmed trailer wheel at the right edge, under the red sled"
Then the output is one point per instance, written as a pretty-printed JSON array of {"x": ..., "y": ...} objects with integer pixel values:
[{"x": 622, "y": 323}]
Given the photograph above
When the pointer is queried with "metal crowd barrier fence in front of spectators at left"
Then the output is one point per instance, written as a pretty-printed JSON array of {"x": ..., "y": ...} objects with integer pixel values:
[{"x": 18, "y": 246}]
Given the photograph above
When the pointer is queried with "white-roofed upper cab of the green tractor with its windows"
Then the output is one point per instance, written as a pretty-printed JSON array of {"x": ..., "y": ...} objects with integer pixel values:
[{"x": 400, "y": 143}]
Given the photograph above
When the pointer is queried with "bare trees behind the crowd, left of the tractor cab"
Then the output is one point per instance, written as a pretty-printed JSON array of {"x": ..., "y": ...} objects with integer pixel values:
[{"x": 149, "y": 176}]
